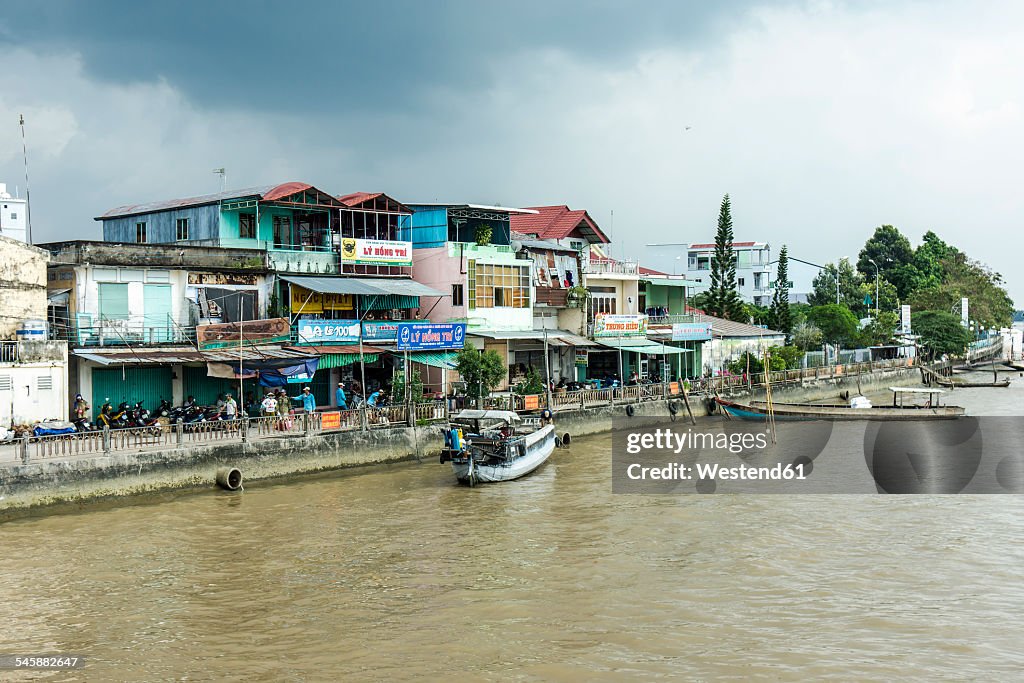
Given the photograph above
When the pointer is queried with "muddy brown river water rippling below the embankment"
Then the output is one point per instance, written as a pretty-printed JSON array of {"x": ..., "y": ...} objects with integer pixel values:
[{"x": 397, "y": 574}]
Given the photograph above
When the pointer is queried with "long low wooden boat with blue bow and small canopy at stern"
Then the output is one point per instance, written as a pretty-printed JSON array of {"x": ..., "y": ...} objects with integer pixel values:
[{"x": 858, "y": 410}]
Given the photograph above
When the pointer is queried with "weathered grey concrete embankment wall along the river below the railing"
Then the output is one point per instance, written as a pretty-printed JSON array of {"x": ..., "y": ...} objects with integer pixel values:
[{"x": 45, "y": 486}]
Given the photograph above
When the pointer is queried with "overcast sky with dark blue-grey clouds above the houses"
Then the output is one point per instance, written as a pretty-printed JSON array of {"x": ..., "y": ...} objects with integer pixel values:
[{"x": 823, "y": 120}]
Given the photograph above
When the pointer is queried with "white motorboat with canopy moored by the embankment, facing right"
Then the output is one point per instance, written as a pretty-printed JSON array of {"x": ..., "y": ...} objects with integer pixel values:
[{"x": 494, "y": 446}]
